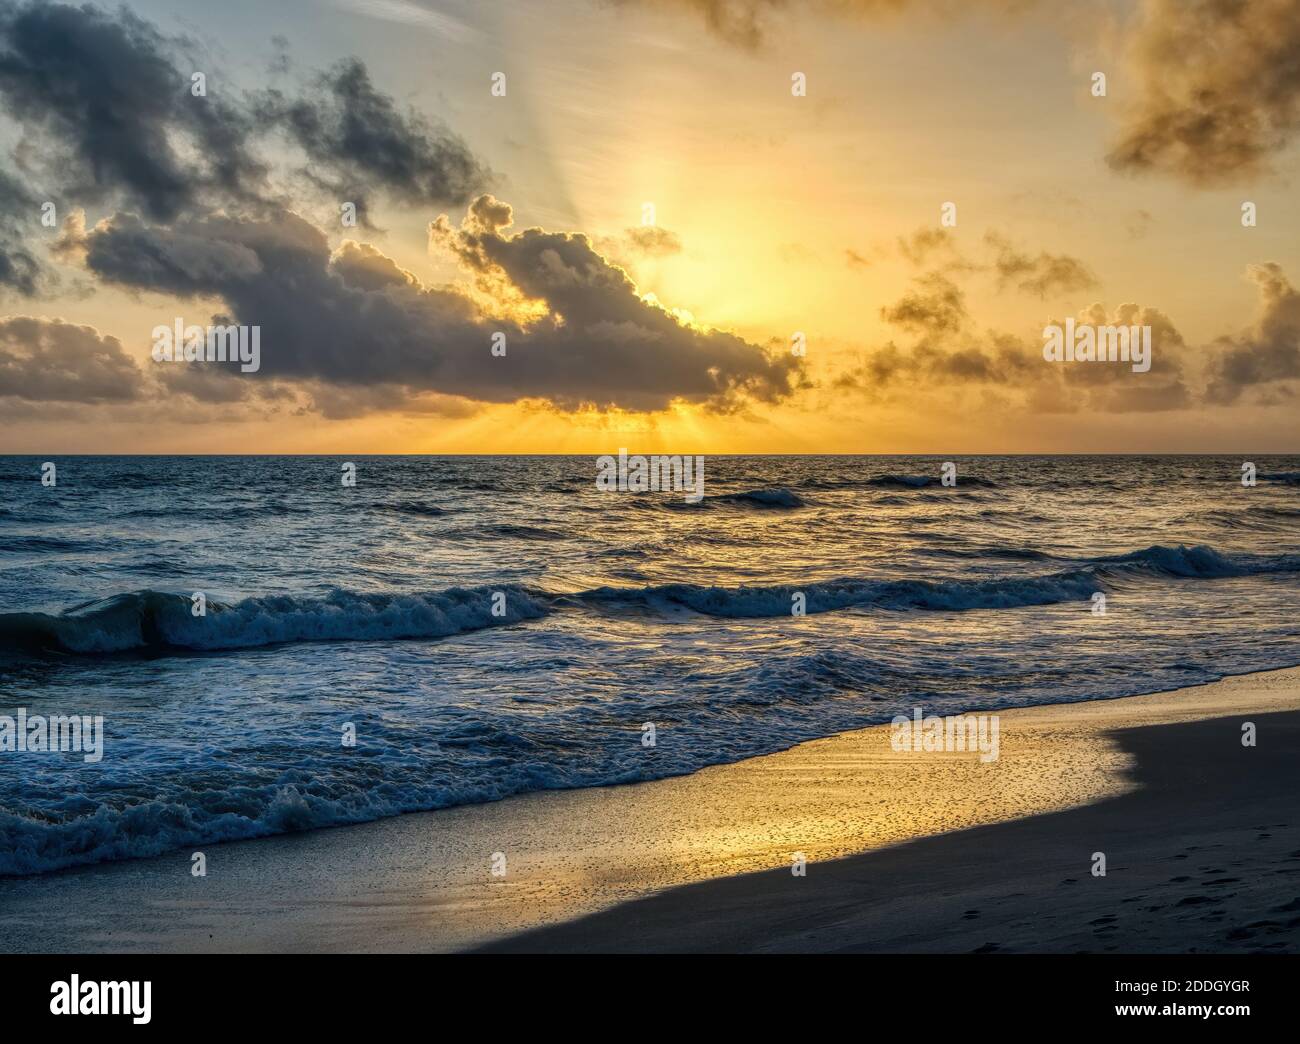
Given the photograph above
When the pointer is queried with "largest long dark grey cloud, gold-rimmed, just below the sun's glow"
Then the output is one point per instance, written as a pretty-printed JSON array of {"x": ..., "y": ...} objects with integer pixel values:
[{"x": 353, "y": 319}]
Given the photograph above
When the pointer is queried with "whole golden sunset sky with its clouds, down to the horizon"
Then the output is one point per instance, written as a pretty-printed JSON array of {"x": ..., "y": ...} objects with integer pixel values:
[{"x": 671, "y": 226}]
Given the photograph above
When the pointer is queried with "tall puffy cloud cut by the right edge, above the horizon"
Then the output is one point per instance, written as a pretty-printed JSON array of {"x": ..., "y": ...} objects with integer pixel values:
[{"x": 1269, "y": 352}]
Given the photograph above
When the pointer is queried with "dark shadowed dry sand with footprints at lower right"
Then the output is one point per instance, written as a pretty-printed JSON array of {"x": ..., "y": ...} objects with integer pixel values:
[{"x": 1201, "y": 857}]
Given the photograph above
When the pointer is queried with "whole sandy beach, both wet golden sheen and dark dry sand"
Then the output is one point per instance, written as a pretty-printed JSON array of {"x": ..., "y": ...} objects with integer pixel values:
[{"x": 1202, "y": 838}]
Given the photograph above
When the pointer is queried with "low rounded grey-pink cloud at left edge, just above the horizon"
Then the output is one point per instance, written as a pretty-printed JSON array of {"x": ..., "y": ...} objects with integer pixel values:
[{"x": 51, "y": 361}]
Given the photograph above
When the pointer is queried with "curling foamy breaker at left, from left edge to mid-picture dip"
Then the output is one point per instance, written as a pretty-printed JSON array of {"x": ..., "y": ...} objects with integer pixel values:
[{"x": 157, "y": 621}]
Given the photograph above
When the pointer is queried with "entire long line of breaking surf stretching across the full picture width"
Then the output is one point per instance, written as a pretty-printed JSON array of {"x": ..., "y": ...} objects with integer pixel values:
[{"x": 157, "y": 621}]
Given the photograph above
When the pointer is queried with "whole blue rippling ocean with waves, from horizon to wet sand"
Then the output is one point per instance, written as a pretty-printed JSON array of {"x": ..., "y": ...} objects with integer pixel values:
[{"x": 452, "y": 631}]
